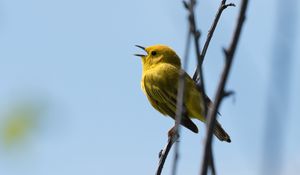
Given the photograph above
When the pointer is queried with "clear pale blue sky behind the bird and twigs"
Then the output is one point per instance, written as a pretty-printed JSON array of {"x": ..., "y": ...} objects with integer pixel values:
[{"x": 72, "y": 63}]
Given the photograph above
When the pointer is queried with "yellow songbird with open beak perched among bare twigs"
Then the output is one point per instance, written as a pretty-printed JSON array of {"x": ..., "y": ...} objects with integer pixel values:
[{"x": 161, "y": 68}]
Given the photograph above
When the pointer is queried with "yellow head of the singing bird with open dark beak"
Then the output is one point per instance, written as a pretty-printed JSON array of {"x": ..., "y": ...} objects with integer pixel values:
[{"x": 158, "y": 54}]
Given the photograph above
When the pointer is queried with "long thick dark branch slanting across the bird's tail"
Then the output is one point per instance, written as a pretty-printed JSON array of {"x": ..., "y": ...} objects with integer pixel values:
[{"x": 229, "y": 53}]
